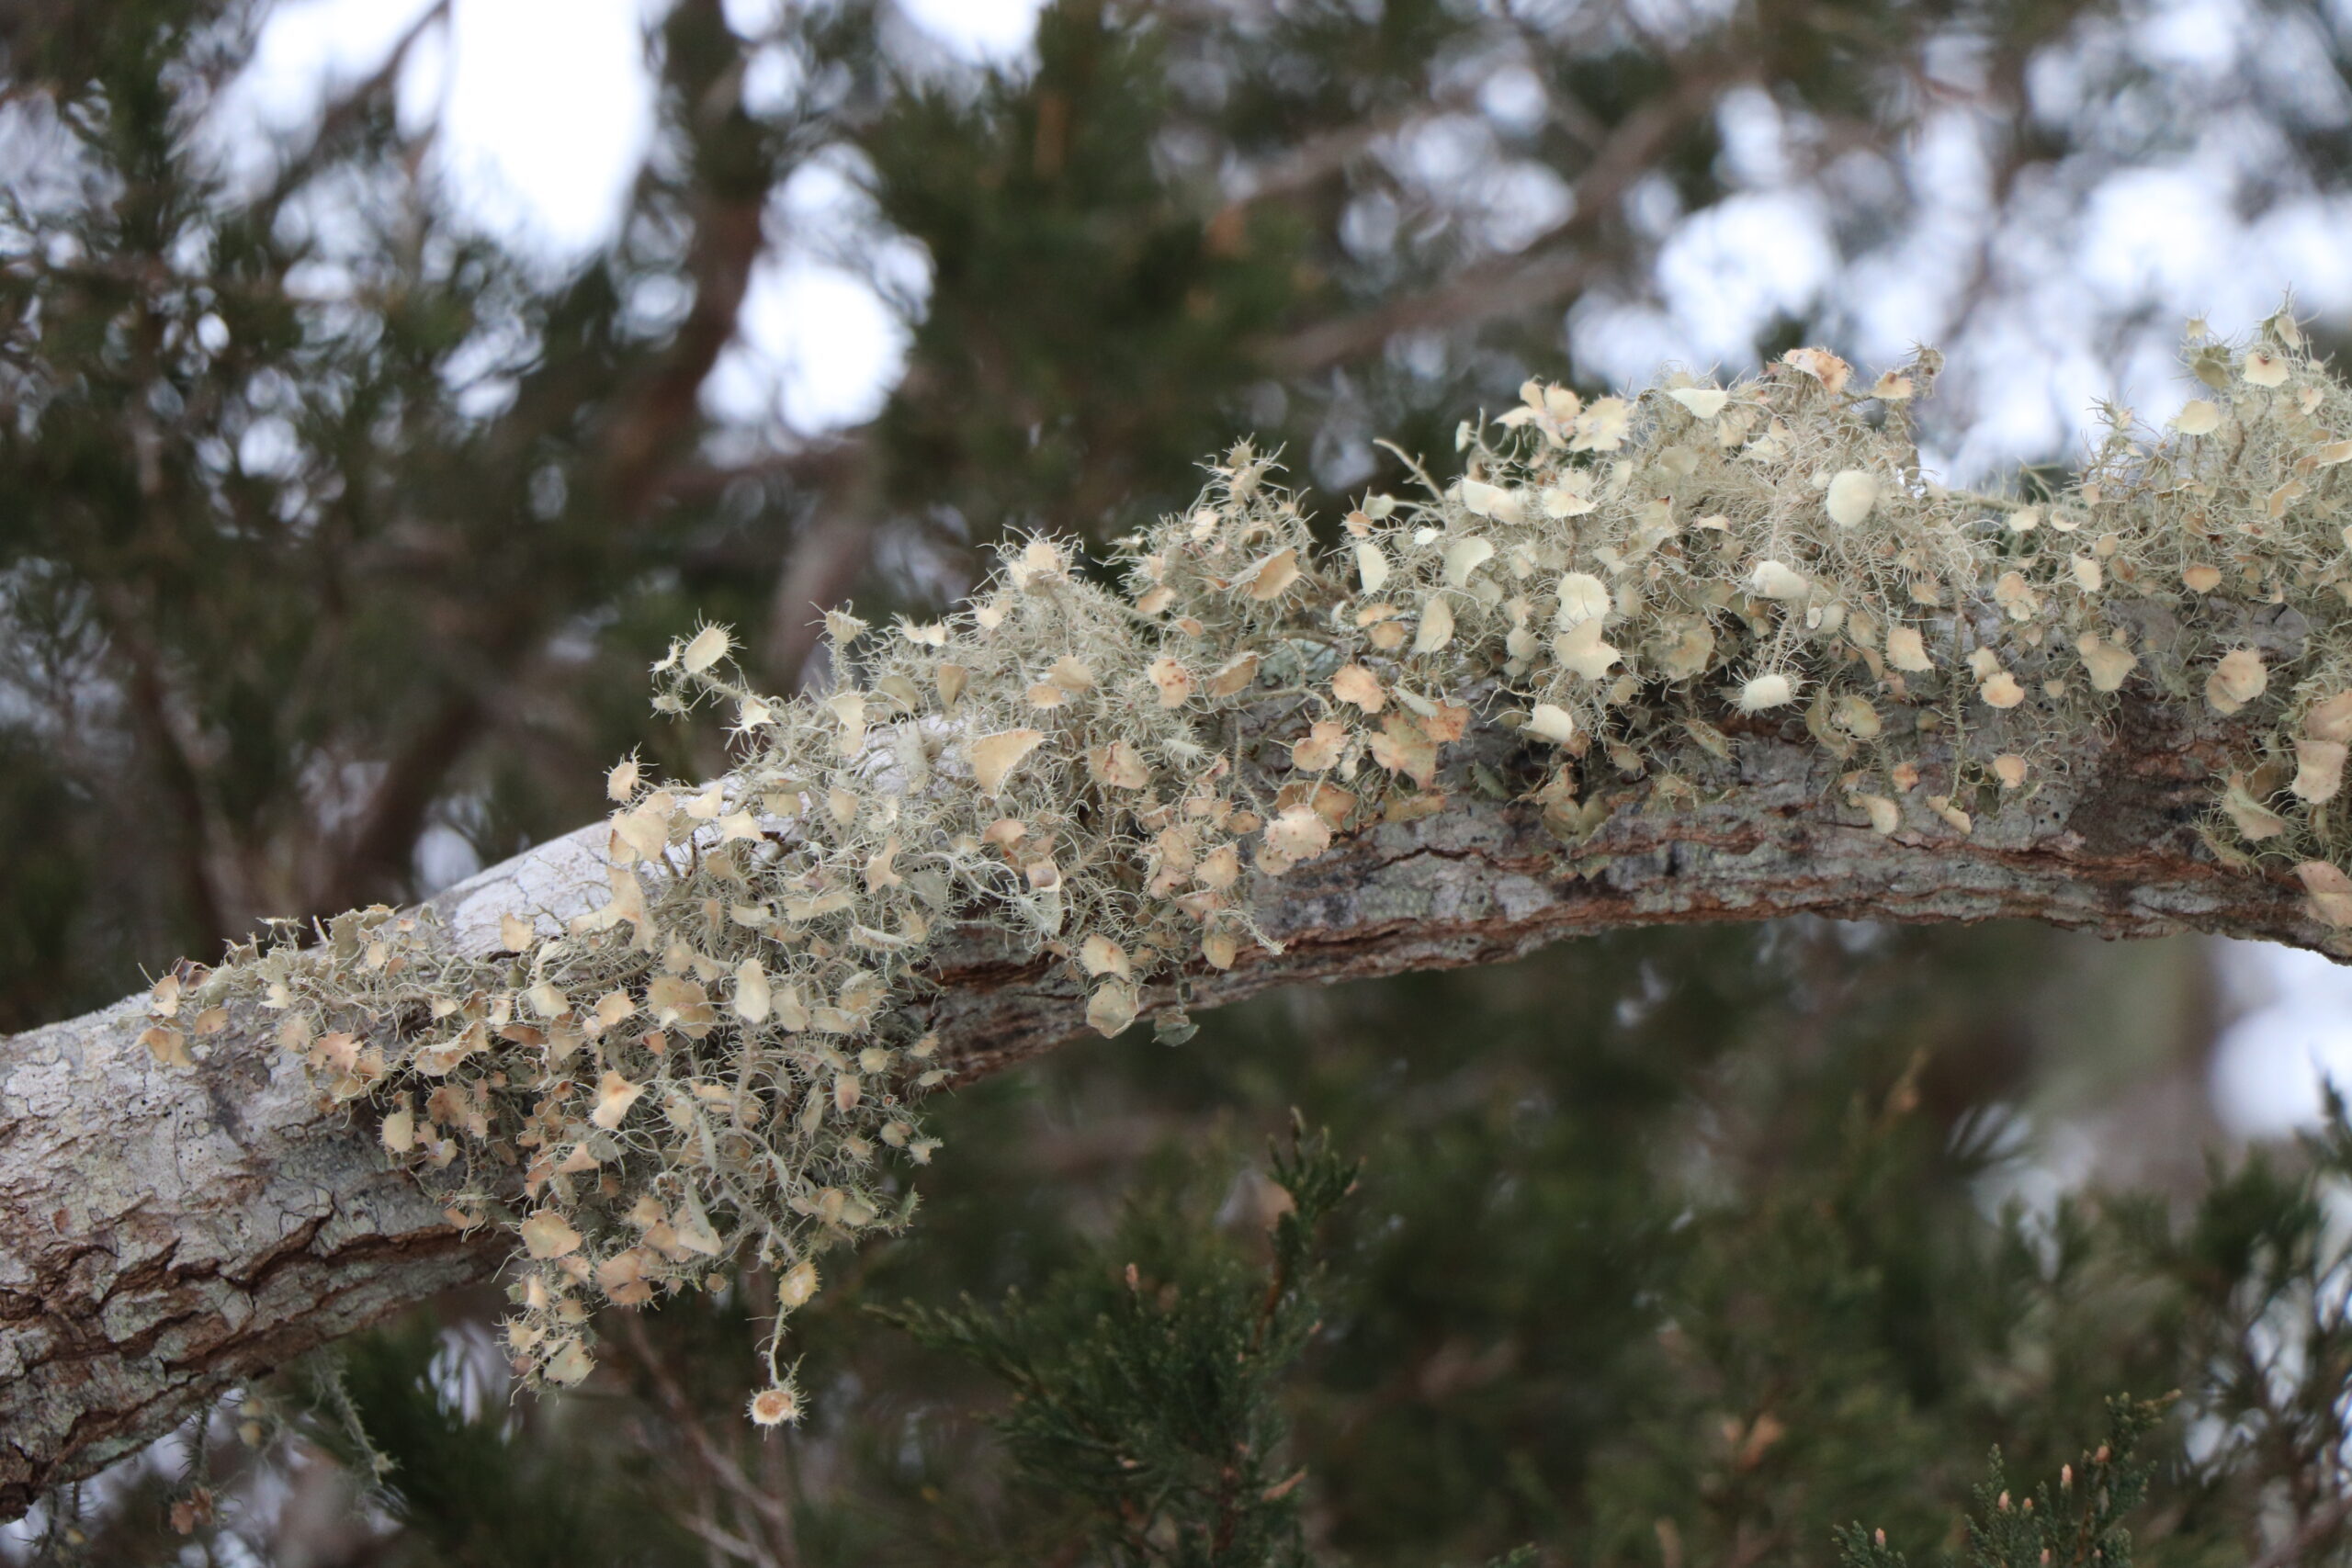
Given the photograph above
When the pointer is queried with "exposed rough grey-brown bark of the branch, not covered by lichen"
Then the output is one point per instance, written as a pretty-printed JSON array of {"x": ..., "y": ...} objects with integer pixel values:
[{"x": 166, "y": 1233}]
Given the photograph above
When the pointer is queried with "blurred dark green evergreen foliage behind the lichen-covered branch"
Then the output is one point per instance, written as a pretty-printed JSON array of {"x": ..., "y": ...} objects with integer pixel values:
[{"x": 338, "y": 537}]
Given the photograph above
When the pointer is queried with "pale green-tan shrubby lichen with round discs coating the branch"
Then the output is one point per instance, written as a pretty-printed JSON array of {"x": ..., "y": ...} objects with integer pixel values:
[{"x": 709, "y": 1068}]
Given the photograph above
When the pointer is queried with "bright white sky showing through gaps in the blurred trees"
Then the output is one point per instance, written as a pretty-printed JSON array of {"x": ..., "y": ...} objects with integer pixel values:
[{"x": 542, "y": 114}]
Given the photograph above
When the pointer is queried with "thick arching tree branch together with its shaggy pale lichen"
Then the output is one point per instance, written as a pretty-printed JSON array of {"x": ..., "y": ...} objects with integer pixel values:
[{"x": 1697, "y": 655}]
